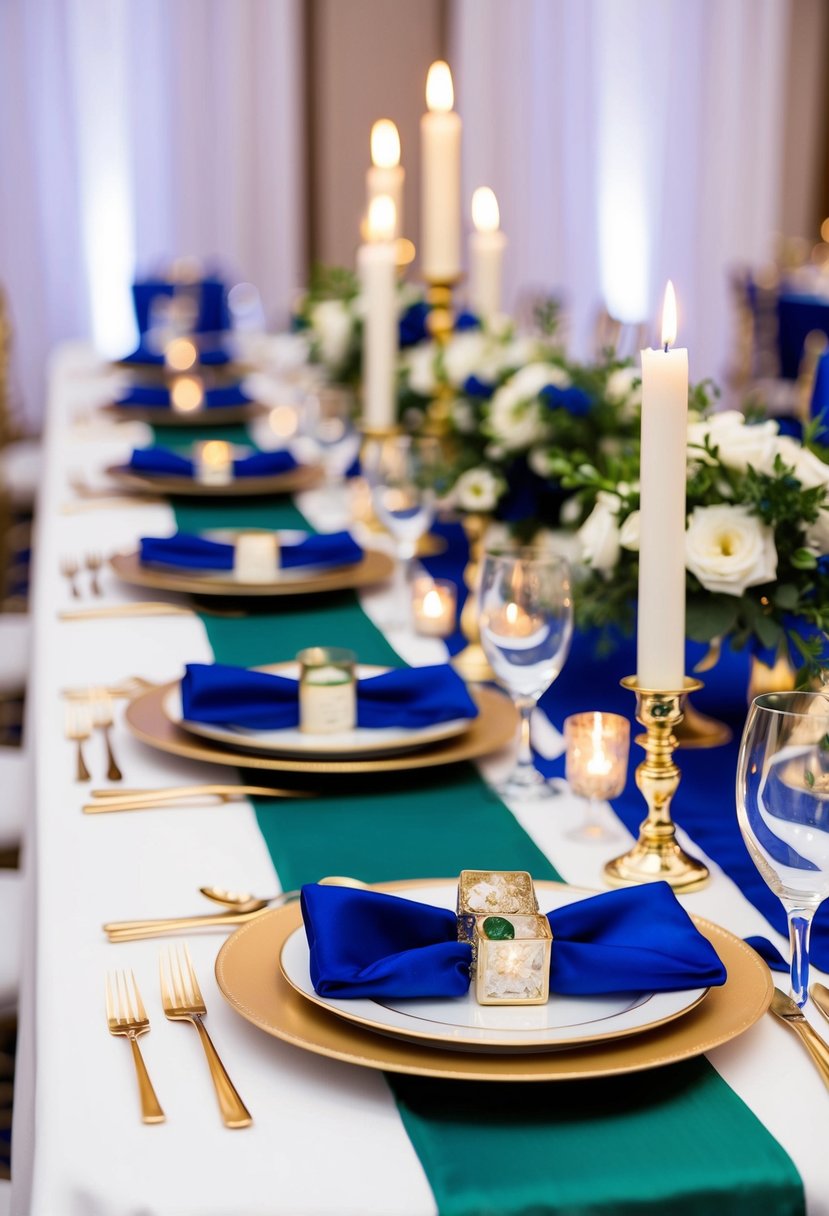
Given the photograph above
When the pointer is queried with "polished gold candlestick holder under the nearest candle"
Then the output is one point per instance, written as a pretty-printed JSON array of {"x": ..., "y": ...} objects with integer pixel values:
[{"x": 657, "y": 854}]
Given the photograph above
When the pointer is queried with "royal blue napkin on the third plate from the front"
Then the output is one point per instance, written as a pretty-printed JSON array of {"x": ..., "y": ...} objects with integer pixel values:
[{"x": 189, "y": 551}]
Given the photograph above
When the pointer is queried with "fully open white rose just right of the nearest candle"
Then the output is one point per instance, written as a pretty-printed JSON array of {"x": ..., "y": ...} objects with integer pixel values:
[{"x": 730, "y": 550}]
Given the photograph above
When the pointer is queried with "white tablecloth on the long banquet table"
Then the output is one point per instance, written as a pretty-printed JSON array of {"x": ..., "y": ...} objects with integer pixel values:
[{"x": 328, "y": 1138}]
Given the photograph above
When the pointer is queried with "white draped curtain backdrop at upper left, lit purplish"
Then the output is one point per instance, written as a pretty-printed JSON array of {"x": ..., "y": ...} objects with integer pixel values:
[{"x": 137, "y": 131}]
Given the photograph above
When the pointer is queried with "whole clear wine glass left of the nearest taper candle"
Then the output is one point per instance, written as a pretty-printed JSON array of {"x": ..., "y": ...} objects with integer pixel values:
[{"x": 526, "y": 615}]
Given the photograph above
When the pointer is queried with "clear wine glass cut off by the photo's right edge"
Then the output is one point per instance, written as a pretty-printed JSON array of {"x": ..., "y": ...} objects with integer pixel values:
[{"x": 783, "y": 809}]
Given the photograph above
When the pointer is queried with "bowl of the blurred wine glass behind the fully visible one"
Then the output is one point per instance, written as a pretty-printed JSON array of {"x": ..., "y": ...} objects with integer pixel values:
[{"x": 403, "y": 474}]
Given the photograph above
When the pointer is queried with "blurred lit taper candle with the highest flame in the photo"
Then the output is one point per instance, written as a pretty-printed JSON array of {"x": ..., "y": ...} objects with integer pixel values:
[{"x": 441, "y": 173}]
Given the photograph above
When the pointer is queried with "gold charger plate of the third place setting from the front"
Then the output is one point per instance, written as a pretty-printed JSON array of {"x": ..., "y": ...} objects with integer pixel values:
[{"x": 375, "y": 567}]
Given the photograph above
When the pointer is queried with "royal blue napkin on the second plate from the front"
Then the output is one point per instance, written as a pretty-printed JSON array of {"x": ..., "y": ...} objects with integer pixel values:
[{"x": 408, "y": 697}]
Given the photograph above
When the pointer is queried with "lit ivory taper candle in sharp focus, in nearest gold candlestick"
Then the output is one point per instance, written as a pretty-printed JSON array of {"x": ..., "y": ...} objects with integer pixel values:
[{"x": 662, "y": 613}]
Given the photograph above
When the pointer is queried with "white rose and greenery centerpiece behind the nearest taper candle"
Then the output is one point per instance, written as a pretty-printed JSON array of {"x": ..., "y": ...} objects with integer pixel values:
[{"x": 757, "y": 542}]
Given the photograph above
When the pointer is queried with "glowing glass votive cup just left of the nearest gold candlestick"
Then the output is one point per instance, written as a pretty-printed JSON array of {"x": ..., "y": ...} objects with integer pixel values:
[{"x": 596, "y": 759}]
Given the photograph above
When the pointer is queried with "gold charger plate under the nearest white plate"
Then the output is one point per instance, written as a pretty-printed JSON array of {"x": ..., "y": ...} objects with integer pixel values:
[{"x": 250, "y": 978}]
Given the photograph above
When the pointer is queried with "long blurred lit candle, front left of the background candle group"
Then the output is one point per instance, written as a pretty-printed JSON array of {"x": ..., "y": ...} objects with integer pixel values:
[{"x": 376, "y": 266}]
